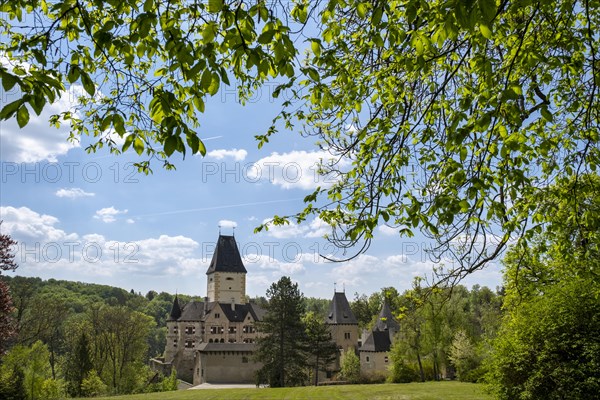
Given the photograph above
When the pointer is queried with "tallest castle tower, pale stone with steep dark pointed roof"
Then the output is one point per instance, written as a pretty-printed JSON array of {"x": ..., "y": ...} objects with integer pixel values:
[{"x": 226, "y": 275}]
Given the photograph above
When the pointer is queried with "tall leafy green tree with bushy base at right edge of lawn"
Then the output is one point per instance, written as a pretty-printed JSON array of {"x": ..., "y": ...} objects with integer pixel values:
[{"x": 548, "y": 346}]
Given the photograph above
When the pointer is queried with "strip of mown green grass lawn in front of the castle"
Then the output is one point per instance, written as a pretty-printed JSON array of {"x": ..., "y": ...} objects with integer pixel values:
[{"x": 407, "y": 391}]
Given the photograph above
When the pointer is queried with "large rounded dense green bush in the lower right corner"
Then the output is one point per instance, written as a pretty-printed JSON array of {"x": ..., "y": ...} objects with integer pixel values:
[{"x": 549, "y": 348}]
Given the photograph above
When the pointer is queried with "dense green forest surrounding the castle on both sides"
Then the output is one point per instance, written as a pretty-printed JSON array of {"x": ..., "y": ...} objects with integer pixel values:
[{"x": 82, "y": 339}]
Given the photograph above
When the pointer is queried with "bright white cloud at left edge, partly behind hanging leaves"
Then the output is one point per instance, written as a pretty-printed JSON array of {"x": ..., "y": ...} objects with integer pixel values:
[{"x": 38, "y": 141}]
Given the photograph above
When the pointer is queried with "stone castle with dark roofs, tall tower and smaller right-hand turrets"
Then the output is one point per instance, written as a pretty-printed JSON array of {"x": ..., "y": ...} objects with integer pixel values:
[{"x": 213, "y": 341}]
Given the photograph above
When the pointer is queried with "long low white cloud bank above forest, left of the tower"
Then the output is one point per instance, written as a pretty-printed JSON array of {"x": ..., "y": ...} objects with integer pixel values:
[{"x": 43, "y": 249}]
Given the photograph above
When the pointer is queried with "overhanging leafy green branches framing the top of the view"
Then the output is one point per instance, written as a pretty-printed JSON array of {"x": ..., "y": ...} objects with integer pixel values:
[{"x": 442, "y": 116}]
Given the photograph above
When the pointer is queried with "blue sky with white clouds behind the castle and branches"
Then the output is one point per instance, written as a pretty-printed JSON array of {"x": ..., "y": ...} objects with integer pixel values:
[{"x": 94, "y": 218}]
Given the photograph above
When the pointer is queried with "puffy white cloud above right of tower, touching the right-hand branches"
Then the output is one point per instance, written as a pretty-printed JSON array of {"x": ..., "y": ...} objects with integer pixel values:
[{"x": 296, "y": 169}]
